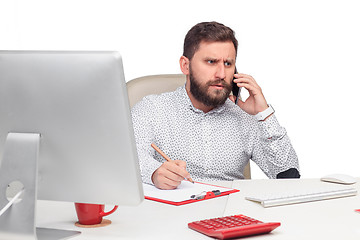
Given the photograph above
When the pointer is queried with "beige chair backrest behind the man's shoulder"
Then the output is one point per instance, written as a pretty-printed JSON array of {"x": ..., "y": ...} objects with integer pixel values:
[{"x": 156, "y": 84}]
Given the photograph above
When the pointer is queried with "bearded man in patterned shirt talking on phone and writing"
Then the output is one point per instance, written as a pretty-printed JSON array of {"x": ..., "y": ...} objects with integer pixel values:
[{"x": 209, "y": 136}]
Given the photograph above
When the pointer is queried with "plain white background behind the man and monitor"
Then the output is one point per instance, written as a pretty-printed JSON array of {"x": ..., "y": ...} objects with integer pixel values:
[{"x": 304, "y": 54}]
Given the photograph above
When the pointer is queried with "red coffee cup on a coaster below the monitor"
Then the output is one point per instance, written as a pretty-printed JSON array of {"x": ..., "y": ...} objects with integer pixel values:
[{"x": 91, "y": 214}]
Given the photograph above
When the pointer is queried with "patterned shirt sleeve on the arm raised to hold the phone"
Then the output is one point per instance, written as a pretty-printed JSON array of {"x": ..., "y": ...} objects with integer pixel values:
[{"x": 273, "y": 151}]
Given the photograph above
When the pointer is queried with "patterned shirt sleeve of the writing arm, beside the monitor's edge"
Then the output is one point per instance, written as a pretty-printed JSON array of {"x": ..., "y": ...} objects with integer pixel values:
[{"x": 143, "y": 120}]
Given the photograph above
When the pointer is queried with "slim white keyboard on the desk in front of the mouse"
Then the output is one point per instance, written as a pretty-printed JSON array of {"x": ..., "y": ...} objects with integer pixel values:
[{"x": 301, "y": 197}]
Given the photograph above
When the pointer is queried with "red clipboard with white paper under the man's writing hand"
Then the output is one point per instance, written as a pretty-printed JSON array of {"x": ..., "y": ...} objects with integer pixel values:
[{"x": 209, "y": 191}]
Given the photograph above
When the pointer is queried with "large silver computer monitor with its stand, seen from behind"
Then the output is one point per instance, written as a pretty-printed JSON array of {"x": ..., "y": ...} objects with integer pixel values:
[{"x": 65, "y": 132}]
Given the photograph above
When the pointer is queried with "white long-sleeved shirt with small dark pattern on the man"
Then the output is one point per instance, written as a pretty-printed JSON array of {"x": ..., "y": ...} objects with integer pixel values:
[{"x": 215, "y": 146}]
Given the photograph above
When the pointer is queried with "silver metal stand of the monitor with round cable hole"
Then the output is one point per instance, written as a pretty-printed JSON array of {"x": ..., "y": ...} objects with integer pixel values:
[{"x": 19, "y": 163}]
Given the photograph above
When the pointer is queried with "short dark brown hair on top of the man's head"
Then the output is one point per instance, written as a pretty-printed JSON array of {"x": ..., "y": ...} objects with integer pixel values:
[{"x": 207, "y": 32}]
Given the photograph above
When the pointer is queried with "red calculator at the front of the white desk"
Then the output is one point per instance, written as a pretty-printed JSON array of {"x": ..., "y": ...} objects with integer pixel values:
[{"x": 232, "y": 226}]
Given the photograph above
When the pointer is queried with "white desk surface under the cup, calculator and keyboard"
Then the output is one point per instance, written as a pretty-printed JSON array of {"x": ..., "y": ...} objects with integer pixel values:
[{"x": 329, "y": 219}]
